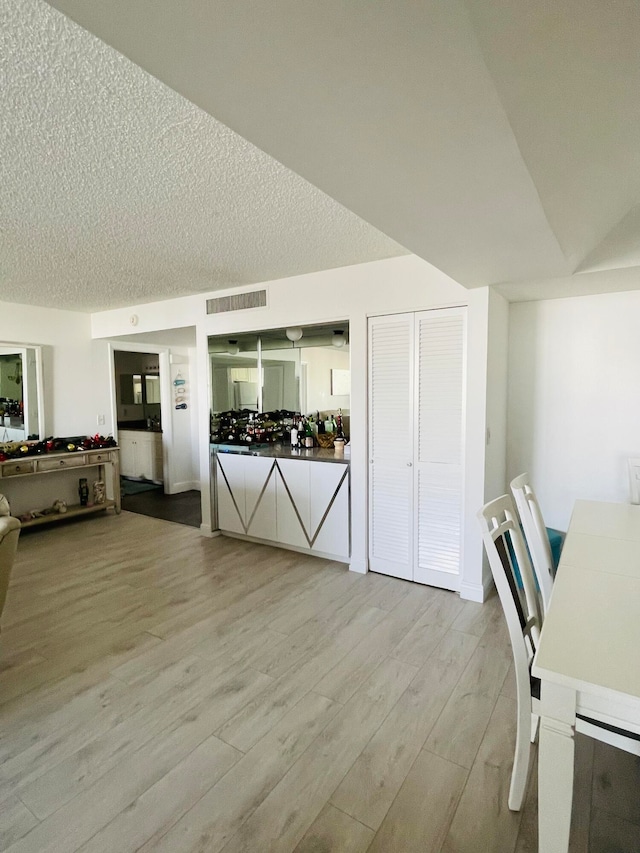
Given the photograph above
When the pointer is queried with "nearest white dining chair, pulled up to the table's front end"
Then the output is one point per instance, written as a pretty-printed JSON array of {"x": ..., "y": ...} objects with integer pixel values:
[{"x": 504, "y": 545}]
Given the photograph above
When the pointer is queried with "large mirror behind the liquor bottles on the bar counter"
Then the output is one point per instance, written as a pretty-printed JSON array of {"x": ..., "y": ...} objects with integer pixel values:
[{"x": 301, "y": 370}]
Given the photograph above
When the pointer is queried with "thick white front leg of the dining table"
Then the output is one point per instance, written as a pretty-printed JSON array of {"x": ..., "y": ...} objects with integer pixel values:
[{"x": 555, "y": 783}]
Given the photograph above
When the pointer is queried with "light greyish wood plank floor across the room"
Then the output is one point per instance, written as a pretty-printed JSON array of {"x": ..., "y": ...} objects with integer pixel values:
[{"x": 164, "y": 692}]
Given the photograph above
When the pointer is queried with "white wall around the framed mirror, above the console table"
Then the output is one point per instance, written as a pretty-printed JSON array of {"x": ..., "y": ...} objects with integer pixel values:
[{"x": 76, "y": 385}]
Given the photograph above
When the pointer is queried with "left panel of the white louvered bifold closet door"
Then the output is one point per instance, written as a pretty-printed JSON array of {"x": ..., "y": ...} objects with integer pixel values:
[{"x": 391, "y": 357}]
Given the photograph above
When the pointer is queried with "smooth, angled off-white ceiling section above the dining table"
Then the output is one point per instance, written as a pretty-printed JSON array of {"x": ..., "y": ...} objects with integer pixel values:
[{"x": 497, "y": 139}]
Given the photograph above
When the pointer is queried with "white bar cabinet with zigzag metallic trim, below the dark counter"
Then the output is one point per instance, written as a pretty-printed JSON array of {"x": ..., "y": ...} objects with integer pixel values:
[{"x": 301, "y": 504}]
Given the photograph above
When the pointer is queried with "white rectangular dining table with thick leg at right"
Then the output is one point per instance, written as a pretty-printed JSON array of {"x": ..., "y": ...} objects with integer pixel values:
[{"x": 588, "y": 657}]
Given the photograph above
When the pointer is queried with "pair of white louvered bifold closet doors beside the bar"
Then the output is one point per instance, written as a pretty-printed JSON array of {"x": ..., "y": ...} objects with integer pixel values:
[{"x": 416, "y": 416}]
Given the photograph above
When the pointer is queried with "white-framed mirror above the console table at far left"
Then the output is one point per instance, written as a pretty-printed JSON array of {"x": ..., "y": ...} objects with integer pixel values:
[{"x": 21, "y": 393}]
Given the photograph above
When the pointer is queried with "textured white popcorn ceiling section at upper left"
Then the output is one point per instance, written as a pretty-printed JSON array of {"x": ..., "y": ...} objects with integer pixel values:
[{"x": 116, "y": 190}]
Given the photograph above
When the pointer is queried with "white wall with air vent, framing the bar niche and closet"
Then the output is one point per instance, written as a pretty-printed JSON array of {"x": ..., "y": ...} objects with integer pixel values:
[{"x": 398, "y": 284}]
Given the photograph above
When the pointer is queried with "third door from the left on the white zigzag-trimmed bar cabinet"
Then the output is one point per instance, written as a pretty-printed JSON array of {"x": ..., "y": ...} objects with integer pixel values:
[{"x": 292, "y": 502}]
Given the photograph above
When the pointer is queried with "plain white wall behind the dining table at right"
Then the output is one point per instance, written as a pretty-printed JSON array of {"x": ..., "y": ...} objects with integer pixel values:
[{"x": 574, "y": 408}]
